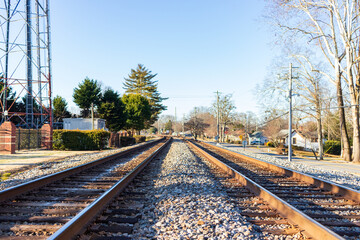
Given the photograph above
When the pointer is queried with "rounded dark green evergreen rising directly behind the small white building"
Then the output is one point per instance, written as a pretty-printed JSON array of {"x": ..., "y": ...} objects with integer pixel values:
[{"x": 87, "y": 93}]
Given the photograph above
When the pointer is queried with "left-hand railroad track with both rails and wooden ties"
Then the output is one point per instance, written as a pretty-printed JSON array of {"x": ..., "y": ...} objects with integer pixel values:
[{"x": 62, "y": 203}]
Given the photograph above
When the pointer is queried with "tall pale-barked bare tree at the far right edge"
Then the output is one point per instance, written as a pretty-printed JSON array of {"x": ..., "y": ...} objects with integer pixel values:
[{"x": 332, "y": 25}]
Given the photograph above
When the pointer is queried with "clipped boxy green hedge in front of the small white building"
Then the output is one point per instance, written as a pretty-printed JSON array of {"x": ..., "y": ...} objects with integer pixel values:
[{"x": 80, "y": 140}]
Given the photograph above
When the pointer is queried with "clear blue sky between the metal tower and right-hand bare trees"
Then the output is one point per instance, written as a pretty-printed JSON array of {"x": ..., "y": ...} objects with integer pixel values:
[{"x": 196, "y": 47}]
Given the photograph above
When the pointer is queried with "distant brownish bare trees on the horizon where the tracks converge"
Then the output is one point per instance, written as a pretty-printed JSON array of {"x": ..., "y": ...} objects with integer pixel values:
[{"x": 204, "y": 121}]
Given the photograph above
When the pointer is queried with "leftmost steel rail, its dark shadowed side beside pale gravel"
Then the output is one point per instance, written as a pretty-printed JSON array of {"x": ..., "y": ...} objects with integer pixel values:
[{"x": 40, "y": 182}]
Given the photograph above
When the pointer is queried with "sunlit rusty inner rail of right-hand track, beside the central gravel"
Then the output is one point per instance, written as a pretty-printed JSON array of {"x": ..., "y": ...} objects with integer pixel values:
[{"x": 311, "y": 227}]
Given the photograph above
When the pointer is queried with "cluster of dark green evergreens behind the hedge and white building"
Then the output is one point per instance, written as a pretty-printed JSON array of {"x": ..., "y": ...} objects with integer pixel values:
[{"x": 138, "y": 108}]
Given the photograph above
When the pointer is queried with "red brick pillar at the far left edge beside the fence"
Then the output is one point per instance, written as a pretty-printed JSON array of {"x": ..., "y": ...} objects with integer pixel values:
[{"x": 7, "y": 137}]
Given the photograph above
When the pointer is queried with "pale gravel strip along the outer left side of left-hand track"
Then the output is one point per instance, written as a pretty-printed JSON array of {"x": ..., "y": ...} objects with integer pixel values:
[{"x": 55, "y": 166}]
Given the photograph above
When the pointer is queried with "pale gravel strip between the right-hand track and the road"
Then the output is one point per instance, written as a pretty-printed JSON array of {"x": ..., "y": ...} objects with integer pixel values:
[{"x": 344, "y": 178}]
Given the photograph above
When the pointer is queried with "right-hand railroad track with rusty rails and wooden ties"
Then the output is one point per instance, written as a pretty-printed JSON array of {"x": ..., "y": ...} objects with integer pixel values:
[{"x": 317, "y": 208}]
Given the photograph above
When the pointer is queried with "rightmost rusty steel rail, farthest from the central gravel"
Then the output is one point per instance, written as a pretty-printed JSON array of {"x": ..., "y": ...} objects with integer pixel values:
[{"x": 334, "y": 188}]
